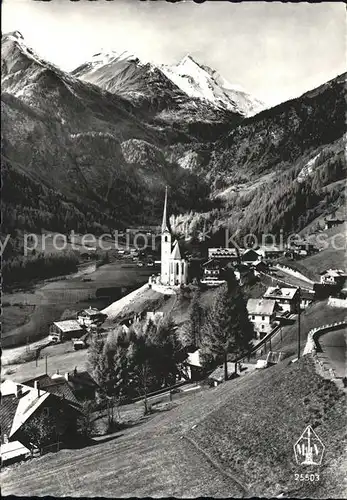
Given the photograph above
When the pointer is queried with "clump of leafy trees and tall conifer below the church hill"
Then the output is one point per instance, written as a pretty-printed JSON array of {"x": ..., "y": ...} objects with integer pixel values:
[{"x": 153, "y": 355}]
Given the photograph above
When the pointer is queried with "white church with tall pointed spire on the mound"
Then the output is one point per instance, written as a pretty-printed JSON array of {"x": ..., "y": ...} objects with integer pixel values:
[{"x": 174, "y": 269}]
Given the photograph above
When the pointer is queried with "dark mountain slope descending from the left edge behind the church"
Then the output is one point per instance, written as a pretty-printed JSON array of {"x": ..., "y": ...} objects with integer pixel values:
[{"x": 100, "y": 154}]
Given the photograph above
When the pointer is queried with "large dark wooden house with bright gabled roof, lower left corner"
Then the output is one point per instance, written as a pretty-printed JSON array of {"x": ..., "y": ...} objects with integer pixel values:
[{"x": 20, "y": 404}]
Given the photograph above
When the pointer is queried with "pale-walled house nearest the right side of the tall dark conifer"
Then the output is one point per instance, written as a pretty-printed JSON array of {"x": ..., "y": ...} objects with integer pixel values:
[{"x": 262, "y": 313}]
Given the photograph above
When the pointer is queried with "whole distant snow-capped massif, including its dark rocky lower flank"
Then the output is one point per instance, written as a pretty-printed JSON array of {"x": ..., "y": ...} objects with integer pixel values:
[{"x": 187, "y": 86}]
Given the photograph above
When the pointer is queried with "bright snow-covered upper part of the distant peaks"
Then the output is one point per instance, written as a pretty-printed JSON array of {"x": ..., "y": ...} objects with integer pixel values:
[{"x": 111, "y": 70}]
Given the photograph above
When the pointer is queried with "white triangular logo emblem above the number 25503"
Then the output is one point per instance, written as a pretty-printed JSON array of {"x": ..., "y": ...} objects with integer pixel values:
[{"x": 309, "y": 448}]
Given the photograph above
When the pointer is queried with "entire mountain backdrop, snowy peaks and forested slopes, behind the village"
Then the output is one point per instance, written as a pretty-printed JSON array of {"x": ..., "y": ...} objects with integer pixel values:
[{"x": 93, "y": 149}]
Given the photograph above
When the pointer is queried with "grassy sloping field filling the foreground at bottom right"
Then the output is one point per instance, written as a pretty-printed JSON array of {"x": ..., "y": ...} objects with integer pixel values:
[{"x": 244, "y": 429}]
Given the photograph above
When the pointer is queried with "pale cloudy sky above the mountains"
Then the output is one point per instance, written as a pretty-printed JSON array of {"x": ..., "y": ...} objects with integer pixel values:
[{"x": 275, "y": 51}]
